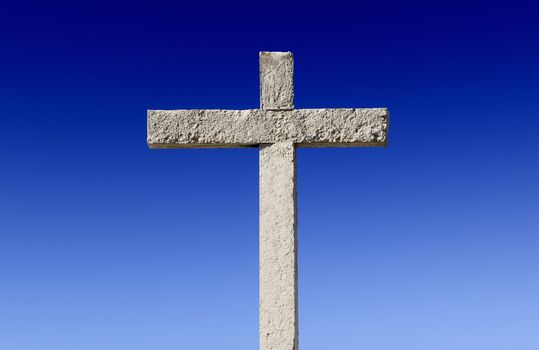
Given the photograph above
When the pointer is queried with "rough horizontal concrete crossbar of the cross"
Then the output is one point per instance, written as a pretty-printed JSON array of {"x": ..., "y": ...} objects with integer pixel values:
[{"x": 251, "y": 127}]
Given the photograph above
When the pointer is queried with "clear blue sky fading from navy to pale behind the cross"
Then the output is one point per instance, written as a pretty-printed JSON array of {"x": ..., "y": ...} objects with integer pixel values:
[{"x": 431, "y": 243}]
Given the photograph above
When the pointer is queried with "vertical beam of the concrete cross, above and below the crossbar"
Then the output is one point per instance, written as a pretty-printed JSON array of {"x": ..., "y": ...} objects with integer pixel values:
[{"x": 278, "y": 214}]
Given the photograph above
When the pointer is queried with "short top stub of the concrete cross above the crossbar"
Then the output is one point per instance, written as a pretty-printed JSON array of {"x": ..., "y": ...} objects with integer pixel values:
[{"x": 276, "y": 80}]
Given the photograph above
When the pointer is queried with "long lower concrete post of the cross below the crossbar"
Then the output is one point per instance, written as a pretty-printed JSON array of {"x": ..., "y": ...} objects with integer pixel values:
[{"x": 278, "y": 248}]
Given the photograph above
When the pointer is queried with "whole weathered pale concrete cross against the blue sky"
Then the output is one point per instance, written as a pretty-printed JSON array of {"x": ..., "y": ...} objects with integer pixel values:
[{"x": 277, "y": 129}]
